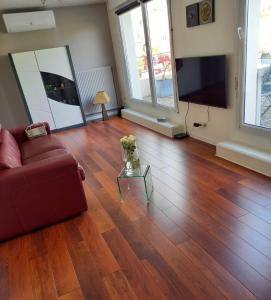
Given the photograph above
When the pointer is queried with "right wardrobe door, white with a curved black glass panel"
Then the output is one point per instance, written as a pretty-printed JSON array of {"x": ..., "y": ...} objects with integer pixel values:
[{"x": 54, "y": 66}]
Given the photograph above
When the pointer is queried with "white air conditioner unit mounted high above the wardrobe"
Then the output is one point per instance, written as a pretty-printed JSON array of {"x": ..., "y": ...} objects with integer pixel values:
[{"x": 29, "y": 21}]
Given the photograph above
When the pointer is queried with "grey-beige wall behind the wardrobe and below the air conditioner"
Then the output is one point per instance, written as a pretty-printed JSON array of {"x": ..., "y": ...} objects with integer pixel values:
[{"x": 84, "y": 28}]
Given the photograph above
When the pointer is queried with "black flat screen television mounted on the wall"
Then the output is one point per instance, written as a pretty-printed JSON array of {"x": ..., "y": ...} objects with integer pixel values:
[{"x": 201, "y": 80}]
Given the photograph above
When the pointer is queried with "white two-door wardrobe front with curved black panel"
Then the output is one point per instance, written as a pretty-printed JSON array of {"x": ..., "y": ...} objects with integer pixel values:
[{"x": 47, "y": 82}]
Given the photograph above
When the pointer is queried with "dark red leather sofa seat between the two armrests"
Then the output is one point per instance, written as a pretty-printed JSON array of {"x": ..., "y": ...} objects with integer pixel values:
[{"x": 40, "y": 145}]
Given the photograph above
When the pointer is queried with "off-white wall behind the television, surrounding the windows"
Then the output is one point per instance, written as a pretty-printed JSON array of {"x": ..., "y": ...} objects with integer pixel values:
[{"x": 212, "y": 39}]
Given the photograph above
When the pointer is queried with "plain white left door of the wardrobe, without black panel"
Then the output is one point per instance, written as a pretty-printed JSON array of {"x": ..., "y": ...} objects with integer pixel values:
[{"x": 32, "y": 86}]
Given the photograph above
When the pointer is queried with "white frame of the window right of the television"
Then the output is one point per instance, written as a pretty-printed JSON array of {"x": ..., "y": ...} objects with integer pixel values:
[{"x": 242, "y": 30}]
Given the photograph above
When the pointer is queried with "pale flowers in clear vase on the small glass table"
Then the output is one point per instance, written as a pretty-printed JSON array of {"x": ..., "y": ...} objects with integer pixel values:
[{"x": 130, "y": 152}]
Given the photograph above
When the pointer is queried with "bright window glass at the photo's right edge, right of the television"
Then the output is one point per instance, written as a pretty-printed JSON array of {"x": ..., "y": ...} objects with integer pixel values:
[{"x": 257, "y": 88}]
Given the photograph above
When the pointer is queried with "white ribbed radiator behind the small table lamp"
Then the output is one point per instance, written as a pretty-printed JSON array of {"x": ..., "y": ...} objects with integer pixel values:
[{"x": 90, "y": 82}]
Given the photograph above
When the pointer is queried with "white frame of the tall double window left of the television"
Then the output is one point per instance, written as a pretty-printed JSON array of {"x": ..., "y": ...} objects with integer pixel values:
[{"x": 154, "y": 103}]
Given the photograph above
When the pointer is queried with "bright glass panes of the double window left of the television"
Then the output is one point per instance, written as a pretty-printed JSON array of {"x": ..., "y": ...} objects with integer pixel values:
[{"x": 147, "y": 45}]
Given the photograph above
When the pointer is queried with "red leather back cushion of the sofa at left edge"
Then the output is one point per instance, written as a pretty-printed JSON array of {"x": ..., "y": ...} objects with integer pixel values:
[{"x": 10, "y": 156}]
